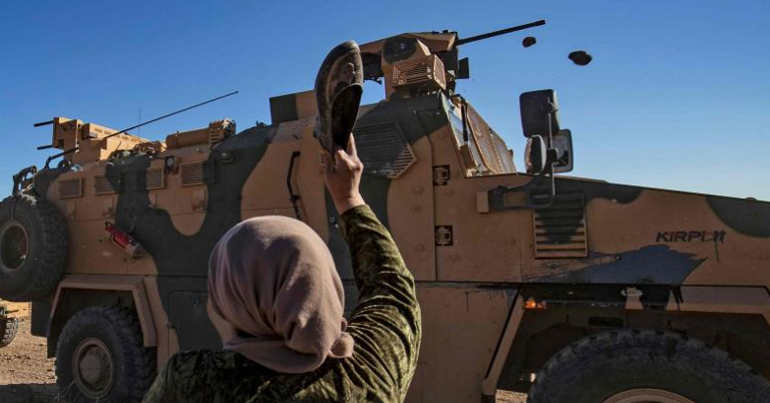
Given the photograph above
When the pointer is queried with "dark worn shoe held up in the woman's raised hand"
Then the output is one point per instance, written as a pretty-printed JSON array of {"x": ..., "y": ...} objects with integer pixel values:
[{"x": 338, "y": 88}]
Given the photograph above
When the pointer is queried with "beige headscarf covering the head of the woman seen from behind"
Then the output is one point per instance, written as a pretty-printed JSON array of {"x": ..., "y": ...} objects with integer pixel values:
[{"x": 275, "y": 295}]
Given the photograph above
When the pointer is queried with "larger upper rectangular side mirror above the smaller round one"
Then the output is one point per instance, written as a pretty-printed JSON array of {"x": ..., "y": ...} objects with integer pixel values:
[{"x": 537, "y": 107}]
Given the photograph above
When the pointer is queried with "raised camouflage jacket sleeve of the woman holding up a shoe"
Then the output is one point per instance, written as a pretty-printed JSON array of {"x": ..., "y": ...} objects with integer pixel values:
[{"x": 386, "y": 324}]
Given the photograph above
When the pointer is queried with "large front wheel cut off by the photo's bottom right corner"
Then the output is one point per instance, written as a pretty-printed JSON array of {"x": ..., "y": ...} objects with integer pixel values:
[{"x": 628, "y": 366}]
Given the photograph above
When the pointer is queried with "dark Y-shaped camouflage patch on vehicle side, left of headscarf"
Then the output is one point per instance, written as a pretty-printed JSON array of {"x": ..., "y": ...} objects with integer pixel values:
[{"x": 181, "y": 260}]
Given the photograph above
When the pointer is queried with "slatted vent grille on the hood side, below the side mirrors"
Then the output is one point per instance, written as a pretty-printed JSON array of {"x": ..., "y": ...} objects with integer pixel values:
[{"x": 560, "y": 230}]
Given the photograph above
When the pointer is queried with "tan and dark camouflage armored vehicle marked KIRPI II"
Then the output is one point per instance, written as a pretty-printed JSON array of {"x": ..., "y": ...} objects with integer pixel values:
[{"x": 573, "y": 289}]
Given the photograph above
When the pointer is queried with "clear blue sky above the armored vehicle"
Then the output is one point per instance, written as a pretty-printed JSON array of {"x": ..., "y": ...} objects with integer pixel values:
[{"x": 677, "y": 95}]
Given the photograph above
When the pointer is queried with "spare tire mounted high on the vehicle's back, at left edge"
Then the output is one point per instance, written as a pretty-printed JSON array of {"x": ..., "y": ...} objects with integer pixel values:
[{"x": 33, "y": 247}]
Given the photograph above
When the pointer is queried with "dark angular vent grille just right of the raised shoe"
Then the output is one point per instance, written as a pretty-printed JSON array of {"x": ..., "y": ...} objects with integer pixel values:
[{"x": 383, "y": 150}]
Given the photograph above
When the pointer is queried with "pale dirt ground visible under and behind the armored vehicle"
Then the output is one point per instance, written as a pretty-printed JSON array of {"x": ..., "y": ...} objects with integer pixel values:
[{"x": 27, "y": 376}]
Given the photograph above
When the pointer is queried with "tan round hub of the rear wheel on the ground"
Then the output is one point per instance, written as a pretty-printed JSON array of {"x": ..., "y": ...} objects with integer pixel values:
[{"x": 92, "y": 368}]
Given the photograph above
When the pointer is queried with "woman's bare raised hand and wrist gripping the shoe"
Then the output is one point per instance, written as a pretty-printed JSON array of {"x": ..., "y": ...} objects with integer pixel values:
[{"x": 342, "y": 174}]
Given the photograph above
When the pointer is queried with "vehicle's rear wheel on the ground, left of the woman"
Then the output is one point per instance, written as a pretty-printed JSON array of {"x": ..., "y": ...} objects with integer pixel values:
[{"x": 100, "y": 357}]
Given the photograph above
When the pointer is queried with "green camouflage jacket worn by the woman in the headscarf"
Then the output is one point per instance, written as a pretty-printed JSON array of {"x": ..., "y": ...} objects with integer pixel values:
[{"x": 385, "y": 326}]
